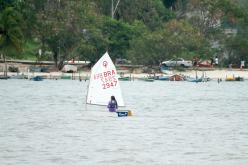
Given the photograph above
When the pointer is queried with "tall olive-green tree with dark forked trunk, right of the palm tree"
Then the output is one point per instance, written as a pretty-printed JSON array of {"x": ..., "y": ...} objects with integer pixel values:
[{"x": 60, "y": 26}]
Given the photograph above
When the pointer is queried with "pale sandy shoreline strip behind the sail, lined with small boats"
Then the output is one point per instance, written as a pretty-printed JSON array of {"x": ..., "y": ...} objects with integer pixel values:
[{"x": 212, "y": 74}]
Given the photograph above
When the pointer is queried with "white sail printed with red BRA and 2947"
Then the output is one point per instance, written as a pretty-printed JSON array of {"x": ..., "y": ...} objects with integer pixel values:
[{"x": 104, "y": 83}]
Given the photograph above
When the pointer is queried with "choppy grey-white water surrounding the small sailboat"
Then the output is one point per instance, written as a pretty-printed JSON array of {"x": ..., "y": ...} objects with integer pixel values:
[{"x": 174, "y": 123}]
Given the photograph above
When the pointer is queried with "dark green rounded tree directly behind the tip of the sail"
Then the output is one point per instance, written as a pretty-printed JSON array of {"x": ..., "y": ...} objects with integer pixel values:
[{"x": 109, "y": 35}]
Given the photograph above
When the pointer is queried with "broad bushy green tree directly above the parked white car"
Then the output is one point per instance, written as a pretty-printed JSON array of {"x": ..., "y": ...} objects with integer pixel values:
[{"x": 176, "y": 39}]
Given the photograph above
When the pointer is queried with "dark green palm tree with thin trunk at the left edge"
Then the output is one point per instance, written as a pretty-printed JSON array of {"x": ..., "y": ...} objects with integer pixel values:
[{"x": 11, "y": 35}]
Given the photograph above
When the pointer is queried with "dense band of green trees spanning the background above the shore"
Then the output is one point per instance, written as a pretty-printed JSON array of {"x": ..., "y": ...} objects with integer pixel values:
[{"x": 143, "y": 31}]
